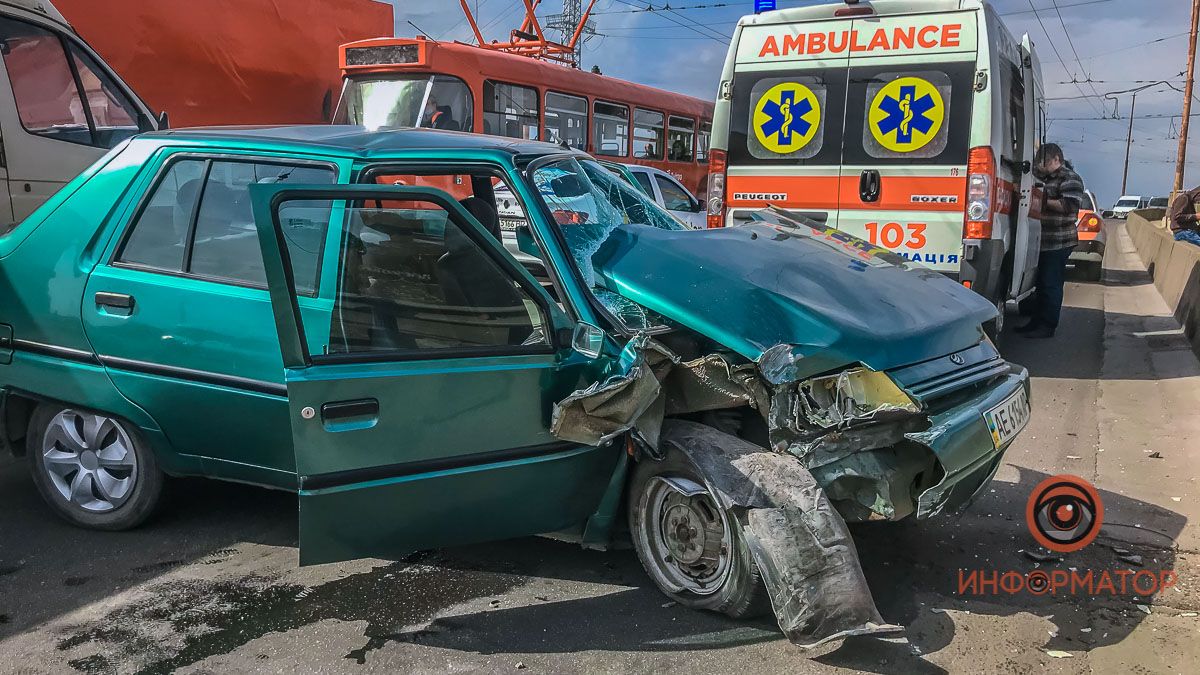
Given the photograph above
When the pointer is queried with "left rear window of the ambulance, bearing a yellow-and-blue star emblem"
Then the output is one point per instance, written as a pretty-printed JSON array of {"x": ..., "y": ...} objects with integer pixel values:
[{"x": 787, "y": 118}]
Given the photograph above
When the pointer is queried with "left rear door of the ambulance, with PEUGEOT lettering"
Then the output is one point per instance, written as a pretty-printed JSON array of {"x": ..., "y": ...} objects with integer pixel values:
[{"x": 787, "y": 120}]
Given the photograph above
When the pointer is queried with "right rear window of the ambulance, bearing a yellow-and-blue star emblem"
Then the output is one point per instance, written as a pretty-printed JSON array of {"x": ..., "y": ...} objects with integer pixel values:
[{"x": 908, "y": 115}]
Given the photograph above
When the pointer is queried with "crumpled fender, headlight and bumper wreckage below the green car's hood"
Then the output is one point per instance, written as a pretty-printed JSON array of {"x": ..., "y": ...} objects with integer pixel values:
[{"x": 794, "y": 499}]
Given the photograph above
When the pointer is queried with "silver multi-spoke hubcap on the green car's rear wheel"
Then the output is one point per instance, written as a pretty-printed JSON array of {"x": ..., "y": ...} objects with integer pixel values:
[{"x": 89, "y": 461}]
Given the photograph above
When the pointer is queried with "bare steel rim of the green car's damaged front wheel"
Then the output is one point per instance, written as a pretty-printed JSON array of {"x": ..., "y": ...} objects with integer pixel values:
[{"x": 687, "y": 536}]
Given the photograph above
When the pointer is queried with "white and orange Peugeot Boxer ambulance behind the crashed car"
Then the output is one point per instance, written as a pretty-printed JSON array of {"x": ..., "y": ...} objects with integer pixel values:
[{"x": 911, "y": 124}]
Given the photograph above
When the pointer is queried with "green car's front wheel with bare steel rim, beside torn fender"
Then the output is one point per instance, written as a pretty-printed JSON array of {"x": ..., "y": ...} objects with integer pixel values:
[{"x": 691, "y": 547}]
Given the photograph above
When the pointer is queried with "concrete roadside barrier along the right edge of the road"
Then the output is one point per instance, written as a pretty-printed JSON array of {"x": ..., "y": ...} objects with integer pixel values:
[{"x": 1174, "y": 266}]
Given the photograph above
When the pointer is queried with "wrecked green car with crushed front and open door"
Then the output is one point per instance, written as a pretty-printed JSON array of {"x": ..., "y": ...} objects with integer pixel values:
[{"x": 332, "y": 312}]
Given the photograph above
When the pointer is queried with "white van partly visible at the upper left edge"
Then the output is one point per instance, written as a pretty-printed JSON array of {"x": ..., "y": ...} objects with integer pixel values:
[{"x": 62, "y": 107}]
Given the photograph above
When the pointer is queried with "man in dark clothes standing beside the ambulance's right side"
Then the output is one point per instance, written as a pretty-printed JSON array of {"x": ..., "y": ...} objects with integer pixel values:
[{"x": 1064, "y": 192}]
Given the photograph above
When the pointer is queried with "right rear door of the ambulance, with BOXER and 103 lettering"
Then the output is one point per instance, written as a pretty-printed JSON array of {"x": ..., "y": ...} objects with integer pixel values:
[{"x": 908, "y": 135}]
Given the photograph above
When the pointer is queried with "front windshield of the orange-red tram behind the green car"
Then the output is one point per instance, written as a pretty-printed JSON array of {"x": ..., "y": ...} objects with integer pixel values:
[{"x": 407, "y": 100}]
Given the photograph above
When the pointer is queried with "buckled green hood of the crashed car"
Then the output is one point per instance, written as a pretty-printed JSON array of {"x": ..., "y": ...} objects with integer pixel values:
[{"x": 799, "y": 301}]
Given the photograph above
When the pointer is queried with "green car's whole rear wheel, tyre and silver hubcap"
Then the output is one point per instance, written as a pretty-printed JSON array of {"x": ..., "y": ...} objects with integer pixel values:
[{"x": 92, "y": 469}]
